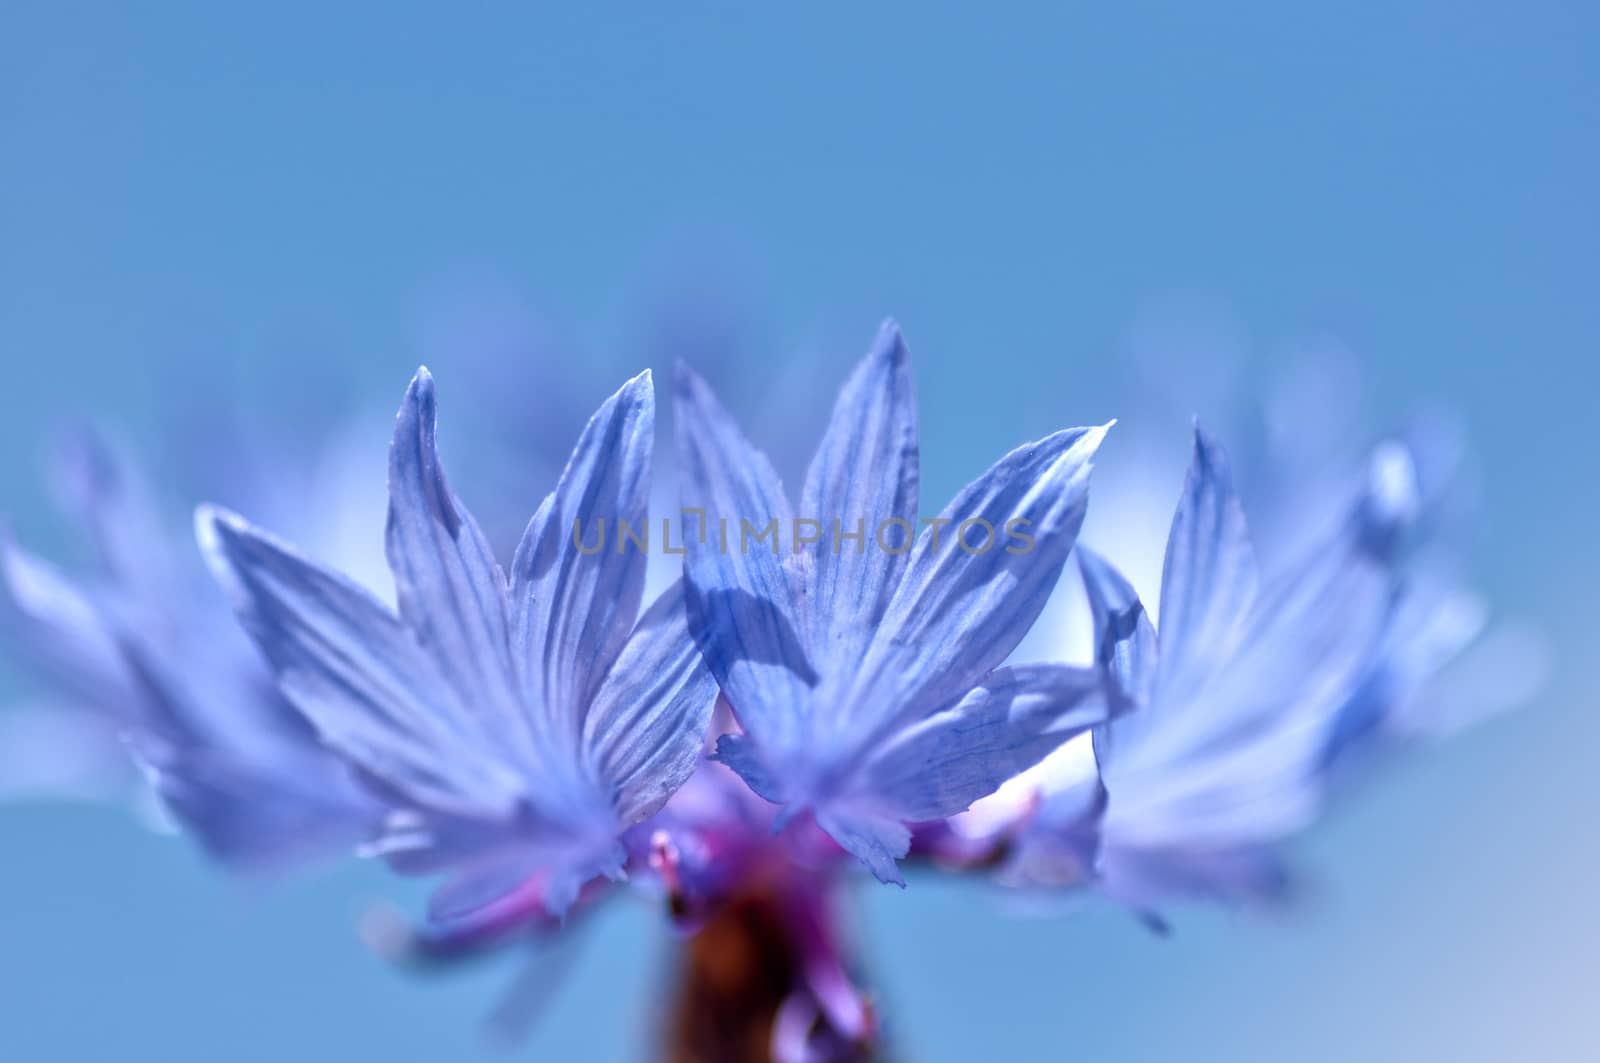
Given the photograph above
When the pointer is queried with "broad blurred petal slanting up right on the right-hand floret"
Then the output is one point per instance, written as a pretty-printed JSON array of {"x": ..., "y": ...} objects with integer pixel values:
[{"x": 1239, "y": 761}]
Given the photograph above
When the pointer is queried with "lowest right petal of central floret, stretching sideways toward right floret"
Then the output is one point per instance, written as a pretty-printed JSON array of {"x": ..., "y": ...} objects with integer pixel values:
[{"x": 1001, "y": 729}]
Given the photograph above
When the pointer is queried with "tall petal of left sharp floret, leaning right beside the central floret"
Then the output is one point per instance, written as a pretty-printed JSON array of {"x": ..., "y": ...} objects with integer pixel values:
[{"x": 572, "y": 609}]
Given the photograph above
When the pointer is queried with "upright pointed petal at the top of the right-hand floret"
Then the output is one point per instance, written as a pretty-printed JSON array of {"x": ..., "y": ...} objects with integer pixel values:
[{"x": 1209, "y": 577}]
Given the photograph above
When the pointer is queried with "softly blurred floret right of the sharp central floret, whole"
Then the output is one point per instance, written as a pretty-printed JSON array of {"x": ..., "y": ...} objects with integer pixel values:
[{"x": 1238, "y": 696}]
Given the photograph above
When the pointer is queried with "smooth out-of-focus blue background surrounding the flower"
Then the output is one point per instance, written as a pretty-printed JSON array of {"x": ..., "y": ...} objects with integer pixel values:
[{"x": 196, "y": 198}]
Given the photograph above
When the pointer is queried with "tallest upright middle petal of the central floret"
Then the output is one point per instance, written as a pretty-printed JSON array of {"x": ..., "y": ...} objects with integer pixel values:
[{"x": 865, "y": 471}]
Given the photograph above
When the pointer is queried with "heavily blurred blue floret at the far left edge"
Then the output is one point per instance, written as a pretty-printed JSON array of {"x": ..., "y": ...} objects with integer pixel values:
[{"x": 146, "y": 656}]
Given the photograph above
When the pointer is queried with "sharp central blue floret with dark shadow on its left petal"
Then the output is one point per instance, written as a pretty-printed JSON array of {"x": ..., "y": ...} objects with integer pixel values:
[{"x": 865, "y": 672}]
